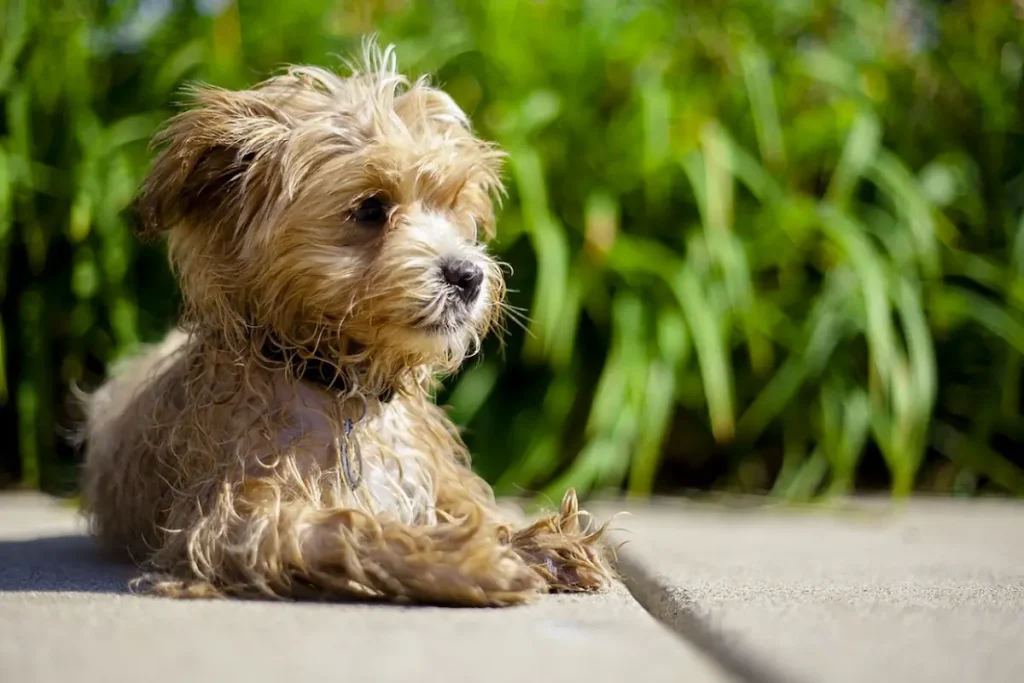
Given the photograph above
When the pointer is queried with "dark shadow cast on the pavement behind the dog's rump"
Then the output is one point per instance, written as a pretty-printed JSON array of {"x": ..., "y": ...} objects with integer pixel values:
[{"x": 61, "y": 564}]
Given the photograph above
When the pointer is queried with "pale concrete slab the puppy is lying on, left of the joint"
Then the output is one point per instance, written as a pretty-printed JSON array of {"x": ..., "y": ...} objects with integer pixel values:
[{"x": 65, "y": 617}]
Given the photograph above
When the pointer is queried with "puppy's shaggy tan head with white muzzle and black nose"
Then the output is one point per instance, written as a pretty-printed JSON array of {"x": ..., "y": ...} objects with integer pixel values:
[{"x": 319, "y": 209}]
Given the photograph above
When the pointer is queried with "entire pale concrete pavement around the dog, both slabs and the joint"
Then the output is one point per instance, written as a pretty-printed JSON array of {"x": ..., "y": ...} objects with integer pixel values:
[{"x": 930, "y": 592}]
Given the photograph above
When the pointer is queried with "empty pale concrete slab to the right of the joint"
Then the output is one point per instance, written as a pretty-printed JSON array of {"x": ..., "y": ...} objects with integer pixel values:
[{"x": 931, "y": 591}]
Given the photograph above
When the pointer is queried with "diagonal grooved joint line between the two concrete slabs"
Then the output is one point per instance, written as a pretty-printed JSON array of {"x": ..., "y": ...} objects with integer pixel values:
[{"x": 678, "y": 612}]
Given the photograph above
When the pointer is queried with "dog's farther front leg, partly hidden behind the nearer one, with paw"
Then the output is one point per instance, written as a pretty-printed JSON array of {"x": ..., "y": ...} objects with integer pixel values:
[{"x": 564, "y": 548}]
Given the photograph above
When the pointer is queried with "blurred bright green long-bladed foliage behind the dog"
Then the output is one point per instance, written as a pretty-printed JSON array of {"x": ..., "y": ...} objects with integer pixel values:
[{"x": 762, "y": 244}]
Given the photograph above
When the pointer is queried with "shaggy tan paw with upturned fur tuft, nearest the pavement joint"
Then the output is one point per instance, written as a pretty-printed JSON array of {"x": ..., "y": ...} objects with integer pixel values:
[{"x": 567, "y": 550}]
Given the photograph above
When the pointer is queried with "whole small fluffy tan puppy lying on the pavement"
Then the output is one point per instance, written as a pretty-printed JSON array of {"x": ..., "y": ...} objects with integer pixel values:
[{"x": 327, "y": 234}]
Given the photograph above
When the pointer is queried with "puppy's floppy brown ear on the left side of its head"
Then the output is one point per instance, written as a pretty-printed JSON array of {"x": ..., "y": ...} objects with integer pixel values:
[{"x": 225, "y": 144}]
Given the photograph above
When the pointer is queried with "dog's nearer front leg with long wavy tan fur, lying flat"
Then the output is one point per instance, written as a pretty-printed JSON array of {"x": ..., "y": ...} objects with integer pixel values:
[{"x": 277, "y": 548}]
